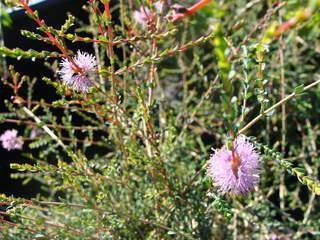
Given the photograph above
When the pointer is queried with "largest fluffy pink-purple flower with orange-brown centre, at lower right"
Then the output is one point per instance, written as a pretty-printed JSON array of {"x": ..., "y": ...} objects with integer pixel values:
[{"x": 235, "y": 171}]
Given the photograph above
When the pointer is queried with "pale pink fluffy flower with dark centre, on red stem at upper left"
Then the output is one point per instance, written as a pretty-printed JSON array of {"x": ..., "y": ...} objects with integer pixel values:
[{"x": 78, "y": 79}]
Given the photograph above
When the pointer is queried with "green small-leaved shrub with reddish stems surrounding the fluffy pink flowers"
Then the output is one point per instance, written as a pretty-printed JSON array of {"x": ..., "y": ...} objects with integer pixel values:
[{"x": 127, "y": 160}]
